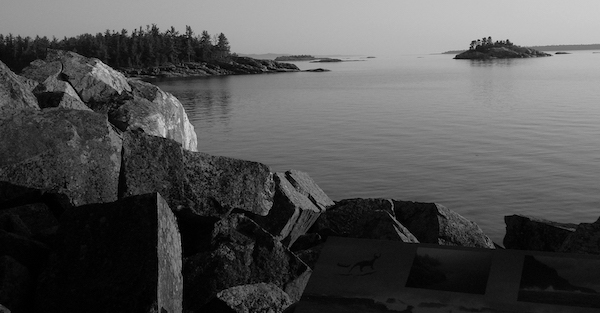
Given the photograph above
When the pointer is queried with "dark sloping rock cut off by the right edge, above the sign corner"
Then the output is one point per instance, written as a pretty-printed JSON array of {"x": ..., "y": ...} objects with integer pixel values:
[{"x": 585, "y": 239}]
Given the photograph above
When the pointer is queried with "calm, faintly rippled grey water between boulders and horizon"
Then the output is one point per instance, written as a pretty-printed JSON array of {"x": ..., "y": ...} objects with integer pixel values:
[{"x": 486, "y": 139}]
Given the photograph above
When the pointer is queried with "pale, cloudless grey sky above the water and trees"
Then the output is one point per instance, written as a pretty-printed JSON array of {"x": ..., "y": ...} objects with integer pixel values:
[{"x": 324, "y": 27}]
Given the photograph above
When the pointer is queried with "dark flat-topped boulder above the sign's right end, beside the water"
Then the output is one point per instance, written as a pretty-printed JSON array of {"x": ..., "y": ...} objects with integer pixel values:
[{"x": 530, "y": 233}]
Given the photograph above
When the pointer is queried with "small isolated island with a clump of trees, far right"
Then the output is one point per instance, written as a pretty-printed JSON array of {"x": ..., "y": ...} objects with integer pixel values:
[{"x": 486, "y": 48}]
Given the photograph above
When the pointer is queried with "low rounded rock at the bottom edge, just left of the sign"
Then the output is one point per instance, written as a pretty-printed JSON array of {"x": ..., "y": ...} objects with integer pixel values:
[{"x": 254, "y": 298}]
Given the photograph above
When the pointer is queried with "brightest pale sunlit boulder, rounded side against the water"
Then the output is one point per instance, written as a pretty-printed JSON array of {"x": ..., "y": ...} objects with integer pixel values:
[{"x": 157, "y": 112}]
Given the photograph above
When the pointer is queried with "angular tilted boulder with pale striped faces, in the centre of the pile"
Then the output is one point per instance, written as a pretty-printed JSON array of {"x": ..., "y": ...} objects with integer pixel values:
[{"x": 297, "y": 204}]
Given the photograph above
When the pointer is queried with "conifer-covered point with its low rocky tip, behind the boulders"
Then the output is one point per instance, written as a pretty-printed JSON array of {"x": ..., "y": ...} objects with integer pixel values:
[{"x": 146, "y": 51}]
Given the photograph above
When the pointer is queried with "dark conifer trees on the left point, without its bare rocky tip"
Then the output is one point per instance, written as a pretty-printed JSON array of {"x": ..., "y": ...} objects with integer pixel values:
[{"x": 143, "y": 47}]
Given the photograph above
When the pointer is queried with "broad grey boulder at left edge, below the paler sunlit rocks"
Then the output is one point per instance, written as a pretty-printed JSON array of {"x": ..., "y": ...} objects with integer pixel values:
[{"x": 72, "y": 152}]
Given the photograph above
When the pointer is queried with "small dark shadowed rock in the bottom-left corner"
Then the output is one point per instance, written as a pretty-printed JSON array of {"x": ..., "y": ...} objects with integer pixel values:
[{"x": 16, "y": 285}]
